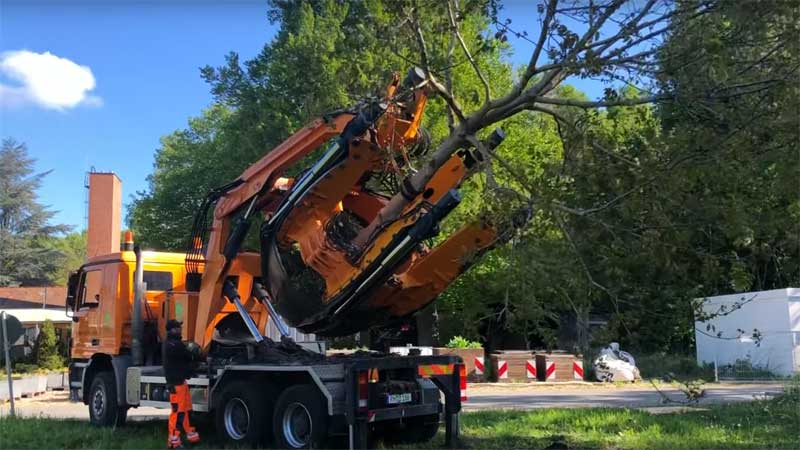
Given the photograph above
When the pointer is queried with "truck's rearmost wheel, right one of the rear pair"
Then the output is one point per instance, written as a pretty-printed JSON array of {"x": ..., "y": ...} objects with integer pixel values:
[{"x": 300, "y": 419}]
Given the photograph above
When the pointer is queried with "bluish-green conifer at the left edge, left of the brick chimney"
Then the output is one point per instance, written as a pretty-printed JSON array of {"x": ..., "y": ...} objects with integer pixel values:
[{"x": 25, "y": 257}]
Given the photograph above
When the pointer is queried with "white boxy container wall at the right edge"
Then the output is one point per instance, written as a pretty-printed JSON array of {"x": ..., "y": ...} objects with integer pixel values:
[{"x": 772, "y": 313}]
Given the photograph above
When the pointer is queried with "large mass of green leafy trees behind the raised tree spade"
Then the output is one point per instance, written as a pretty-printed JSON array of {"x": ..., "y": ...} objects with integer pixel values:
[{"x": 681, "y": 182}]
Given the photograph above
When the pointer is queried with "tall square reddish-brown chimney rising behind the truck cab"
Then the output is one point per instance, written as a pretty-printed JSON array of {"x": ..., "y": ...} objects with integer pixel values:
[{"x": 105, "y": 214}]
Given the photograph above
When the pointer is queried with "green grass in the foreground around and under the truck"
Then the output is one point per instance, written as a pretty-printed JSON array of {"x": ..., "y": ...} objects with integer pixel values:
[{"x": 760, "y": 424}]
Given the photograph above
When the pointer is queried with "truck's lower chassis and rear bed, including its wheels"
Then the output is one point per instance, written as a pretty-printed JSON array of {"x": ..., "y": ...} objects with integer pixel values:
[{"x": 353, "y": 398}]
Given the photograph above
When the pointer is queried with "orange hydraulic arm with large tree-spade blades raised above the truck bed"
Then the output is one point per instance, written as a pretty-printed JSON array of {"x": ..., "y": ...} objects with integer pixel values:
[{"x": 308, "y": 270}]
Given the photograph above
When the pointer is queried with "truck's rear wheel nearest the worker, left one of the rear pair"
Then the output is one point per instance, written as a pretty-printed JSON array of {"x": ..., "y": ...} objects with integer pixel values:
[{"x": 242, "y": 415}]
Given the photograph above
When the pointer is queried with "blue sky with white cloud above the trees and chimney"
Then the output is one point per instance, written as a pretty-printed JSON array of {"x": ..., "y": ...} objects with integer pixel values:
[{"x": 94, "y": 84}]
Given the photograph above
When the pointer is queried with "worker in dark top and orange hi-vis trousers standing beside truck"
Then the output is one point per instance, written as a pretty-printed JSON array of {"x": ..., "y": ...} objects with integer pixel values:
[{"x": 178, "y": 367}]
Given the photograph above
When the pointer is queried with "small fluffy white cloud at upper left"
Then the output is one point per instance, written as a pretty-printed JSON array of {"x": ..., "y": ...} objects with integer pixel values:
[{"x": 46, "y": 80}]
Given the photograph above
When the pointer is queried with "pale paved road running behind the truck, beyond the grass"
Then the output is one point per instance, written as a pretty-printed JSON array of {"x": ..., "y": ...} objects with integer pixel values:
[{"x": 56, "y": 404}]
